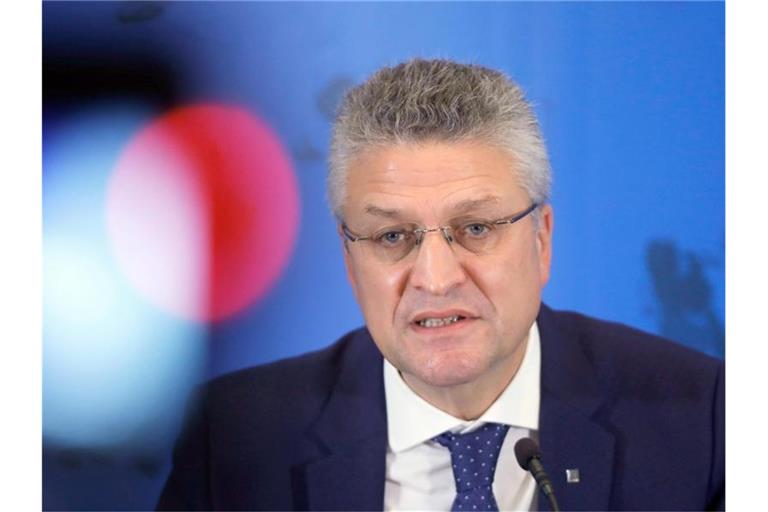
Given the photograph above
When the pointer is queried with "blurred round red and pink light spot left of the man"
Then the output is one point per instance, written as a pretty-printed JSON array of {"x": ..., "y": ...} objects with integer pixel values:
[{"x": 202, "y": 210}]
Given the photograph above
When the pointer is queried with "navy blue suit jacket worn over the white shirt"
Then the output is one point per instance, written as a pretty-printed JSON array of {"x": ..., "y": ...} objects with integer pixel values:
[{"x": 641, "y": 418}]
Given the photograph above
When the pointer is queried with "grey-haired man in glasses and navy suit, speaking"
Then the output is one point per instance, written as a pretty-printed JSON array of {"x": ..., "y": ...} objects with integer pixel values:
[{"x": 440, "y": 180}]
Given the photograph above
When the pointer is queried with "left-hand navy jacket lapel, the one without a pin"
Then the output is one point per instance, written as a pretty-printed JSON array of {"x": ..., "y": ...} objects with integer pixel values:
[{"x": 352, "y": 432}]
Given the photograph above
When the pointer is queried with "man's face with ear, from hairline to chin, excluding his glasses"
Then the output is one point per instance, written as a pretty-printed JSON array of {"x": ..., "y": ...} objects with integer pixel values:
[{"x": 495, "y": 294}]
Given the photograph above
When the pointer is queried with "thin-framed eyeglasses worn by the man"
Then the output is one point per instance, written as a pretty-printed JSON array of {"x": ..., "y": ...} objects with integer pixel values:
[{"x": 478, "y": 236}]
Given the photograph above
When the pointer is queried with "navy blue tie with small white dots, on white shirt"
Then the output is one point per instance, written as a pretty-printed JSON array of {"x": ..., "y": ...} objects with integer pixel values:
[{"x": 474, "y": 456}]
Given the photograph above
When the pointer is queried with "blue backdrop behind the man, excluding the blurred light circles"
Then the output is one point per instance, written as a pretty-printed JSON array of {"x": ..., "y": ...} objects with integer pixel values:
[{"x": 631, "y": 101}]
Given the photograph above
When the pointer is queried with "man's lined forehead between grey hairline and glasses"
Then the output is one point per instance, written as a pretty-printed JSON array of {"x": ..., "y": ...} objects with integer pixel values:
[{"x": 432, "y": 179}]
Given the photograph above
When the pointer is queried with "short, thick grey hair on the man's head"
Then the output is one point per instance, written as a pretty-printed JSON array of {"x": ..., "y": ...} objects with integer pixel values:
[{"x": 438, "y": 100}]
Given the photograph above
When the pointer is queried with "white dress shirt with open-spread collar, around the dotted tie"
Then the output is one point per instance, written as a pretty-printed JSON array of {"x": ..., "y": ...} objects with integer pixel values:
[{"x": 419, "y": 472}]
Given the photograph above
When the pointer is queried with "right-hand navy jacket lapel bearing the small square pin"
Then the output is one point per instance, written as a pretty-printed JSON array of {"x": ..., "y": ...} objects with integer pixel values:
[{"x": 573, "y": 431}]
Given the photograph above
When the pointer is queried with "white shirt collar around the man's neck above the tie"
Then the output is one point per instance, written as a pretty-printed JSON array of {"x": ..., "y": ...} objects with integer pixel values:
[{"x": 411, "y": 420}]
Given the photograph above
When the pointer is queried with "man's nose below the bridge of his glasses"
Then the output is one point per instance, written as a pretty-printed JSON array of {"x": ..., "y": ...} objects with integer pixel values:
[{"x": 437, "y": 268}]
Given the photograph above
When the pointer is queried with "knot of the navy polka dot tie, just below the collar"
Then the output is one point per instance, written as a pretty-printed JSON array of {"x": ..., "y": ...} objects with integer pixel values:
[{"x": 474, "y": 454}]
